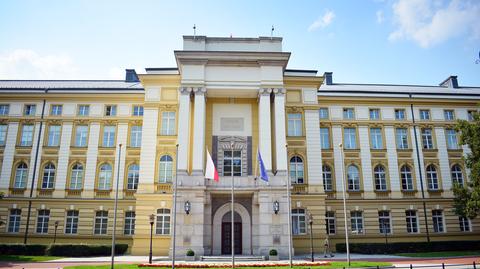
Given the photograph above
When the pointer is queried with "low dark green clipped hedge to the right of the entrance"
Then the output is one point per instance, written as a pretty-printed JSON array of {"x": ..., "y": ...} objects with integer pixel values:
[{"x": 409, "y": 247}]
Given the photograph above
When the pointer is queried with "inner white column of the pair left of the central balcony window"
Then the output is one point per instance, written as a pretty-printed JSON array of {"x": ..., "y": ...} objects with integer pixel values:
[{"x": 198, "y": 131}]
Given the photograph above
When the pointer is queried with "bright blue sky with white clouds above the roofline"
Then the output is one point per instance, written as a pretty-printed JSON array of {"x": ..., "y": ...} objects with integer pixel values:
[{"x": 419, "y": 42}]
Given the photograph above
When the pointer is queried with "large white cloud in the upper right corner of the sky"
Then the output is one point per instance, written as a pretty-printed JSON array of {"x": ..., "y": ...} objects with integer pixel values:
[{"x": 430, "y": 22}]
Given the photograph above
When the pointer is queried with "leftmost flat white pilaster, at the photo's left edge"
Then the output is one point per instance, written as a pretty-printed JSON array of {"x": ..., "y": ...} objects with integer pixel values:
[{"x": 8, "y": 154}]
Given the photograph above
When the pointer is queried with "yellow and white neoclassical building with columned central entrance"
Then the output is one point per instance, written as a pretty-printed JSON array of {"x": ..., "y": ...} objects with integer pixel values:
[{"x": 395, "y": 146}]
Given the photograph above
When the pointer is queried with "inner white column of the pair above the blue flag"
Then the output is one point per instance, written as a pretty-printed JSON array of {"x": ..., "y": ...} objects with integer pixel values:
[{"x": 264, "y": 128}]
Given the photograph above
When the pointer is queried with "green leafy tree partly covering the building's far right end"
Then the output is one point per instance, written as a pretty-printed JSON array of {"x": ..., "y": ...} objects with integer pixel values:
[{"x": 467, "y": 196}]
